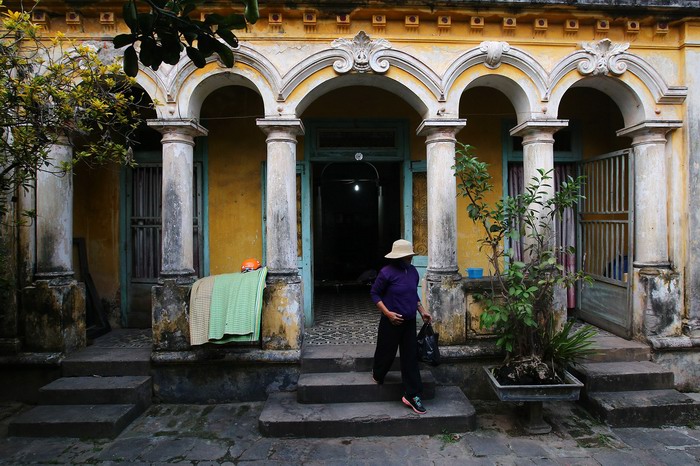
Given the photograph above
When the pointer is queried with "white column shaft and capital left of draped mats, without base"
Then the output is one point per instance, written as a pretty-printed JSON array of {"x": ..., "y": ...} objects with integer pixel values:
[{"x": 177, "y": 200}]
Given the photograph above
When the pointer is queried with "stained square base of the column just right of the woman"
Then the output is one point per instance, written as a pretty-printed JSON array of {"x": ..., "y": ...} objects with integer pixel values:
[{"x": 447, "y": 304}]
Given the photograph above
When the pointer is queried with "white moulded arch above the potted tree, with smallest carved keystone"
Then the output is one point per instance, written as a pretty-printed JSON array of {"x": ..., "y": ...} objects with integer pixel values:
[{"x": 523, "y": 81}]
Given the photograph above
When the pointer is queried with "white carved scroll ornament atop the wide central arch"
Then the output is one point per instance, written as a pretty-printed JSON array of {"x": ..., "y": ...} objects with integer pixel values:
[{"x": 363, "y": 54}]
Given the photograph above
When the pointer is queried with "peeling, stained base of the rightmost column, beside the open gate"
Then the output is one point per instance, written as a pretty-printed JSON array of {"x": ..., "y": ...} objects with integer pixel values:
[{"x": 657, "y": 302}]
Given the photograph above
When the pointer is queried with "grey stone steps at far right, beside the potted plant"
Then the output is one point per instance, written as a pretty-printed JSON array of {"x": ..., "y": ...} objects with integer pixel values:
[{"x": 624, "y": 388}]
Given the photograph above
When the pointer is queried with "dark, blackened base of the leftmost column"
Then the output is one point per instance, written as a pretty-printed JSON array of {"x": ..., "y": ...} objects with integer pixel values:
[{"x": 54, "y": 316}]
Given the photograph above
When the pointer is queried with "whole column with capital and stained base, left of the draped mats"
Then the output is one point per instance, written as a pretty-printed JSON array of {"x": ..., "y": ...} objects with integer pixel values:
[{"x": 170, "y": 297}]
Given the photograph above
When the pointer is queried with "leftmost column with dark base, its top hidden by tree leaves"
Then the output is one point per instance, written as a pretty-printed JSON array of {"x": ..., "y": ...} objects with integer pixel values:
[{"x": 54, "y": 304}]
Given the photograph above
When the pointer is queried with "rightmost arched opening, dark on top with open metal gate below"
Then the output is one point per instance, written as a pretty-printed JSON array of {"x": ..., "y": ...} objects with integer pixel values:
[{"x": 604, "y": 217}]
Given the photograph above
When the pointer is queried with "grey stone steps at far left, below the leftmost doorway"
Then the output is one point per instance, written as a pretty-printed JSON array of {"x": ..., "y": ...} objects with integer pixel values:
[{"x": 101, "y": 392}]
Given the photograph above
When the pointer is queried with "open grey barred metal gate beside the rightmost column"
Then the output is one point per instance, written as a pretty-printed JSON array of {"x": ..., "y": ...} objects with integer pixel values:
[{"x": 605, "y": 241}]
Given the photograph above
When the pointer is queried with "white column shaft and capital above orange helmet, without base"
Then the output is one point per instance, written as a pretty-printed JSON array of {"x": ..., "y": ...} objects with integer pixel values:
[{"x": 281, "y": 207}]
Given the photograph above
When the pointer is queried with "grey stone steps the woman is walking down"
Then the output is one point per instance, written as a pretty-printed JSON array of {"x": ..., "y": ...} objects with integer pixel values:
[{"x": 336, "y": 397}]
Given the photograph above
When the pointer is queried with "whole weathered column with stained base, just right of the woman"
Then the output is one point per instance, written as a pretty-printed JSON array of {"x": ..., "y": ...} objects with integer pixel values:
[{"x": 445, "y": 297}]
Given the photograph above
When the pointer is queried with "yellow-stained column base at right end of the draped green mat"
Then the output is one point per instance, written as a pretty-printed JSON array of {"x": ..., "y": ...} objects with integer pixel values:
[{"x": 283, "y": 312}]
